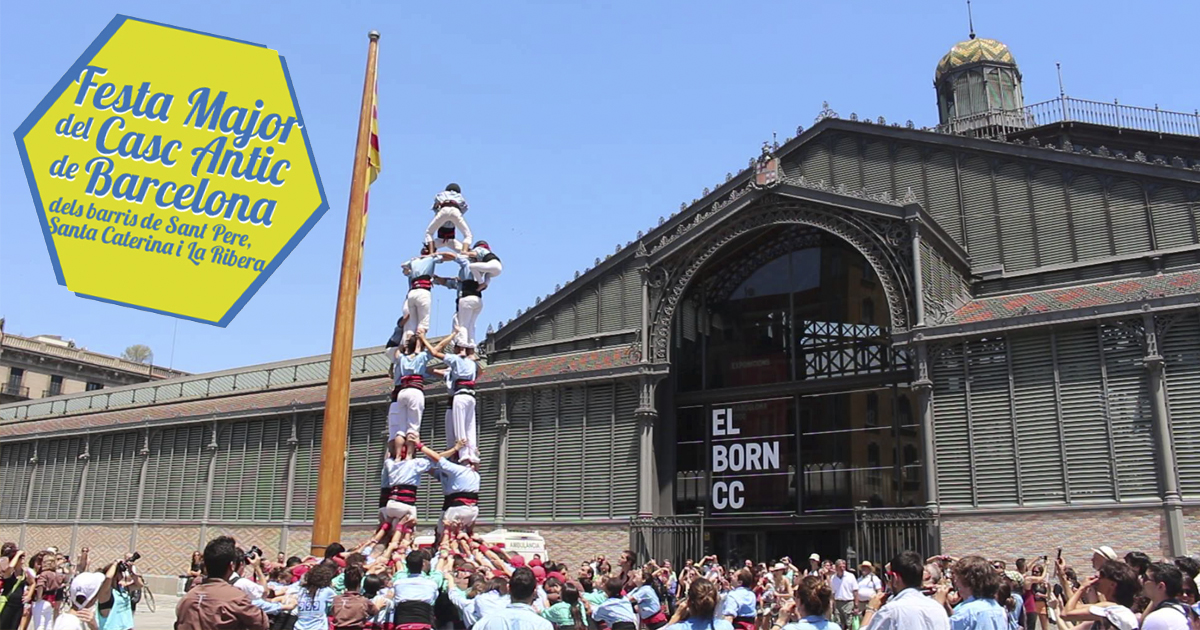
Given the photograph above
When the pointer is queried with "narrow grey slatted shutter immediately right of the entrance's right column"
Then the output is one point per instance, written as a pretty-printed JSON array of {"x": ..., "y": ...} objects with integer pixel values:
[{"x": 952, "y": 430}]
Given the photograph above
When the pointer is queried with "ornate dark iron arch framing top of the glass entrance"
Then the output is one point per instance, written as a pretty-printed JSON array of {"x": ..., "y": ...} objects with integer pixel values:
[{"x": 867, "y": 235}]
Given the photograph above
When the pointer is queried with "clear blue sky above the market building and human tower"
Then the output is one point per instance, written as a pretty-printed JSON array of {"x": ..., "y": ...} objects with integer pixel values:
[{"x": 569, "y": 125}]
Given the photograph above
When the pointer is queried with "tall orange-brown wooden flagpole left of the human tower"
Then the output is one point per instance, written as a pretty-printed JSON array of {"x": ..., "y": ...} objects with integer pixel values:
[{"x": 327, "y": 525}]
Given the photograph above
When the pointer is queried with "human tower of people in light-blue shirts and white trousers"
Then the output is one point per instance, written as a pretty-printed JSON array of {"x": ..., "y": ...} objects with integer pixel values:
[{"x": 412, "y": 353}]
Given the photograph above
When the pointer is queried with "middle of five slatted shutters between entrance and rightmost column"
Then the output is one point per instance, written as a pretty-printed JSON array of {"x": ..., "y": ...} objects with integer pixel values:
[{"x": 1037, "y": 419}]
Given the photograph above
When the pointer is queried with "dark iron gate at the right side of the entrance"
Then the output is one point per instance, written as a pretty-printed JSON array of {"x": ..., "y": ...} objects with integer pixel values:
[{"x": 880, "y": 535}]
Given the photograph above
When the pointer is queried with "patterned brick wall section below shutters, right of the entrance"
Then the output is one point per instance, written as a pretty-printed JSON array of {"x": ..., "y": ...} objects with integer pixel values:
[{"x": 1031, "y": 535}]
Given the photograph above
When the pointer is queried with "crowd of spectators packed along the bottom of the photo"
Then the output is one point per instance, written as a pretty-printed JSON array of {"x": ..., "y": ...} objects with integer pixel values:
[{"x": 466, "y": 584}]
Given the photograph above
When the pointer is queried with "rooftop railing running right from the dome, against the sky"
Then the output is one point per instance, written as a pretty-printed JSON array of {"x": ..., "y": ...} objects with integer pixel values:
[{"x": 1067, "y": 110}]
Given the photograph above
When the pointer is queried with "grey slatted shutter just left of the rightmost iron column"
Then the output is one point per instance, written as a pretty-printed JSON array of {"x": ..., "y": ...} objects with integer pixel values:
[{"x": 1130, "y": 411}]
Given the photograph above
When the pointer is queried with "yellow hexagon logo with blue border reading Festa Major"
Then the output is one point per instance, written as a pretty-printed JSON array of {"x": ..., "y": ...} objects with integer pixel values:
[{"x": 171, "y": 171}]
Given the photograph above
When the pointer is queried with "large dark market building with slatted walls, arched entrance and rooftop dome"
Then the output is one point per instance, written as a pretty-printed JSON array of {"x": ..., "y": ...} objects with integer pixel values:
[{"x": 980, "y": 337}]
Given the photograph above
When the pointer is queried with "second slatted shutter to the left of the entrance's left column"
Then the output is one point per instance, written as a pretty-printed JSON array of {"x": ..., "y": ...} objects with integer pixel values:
[{"x": 599, "y": 452}]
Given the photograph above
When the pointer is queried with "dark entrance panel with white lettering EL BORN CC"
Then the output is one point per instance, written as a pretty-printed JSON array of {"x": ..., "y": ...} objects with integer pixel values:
[{"x": 753, "y": 458}]
